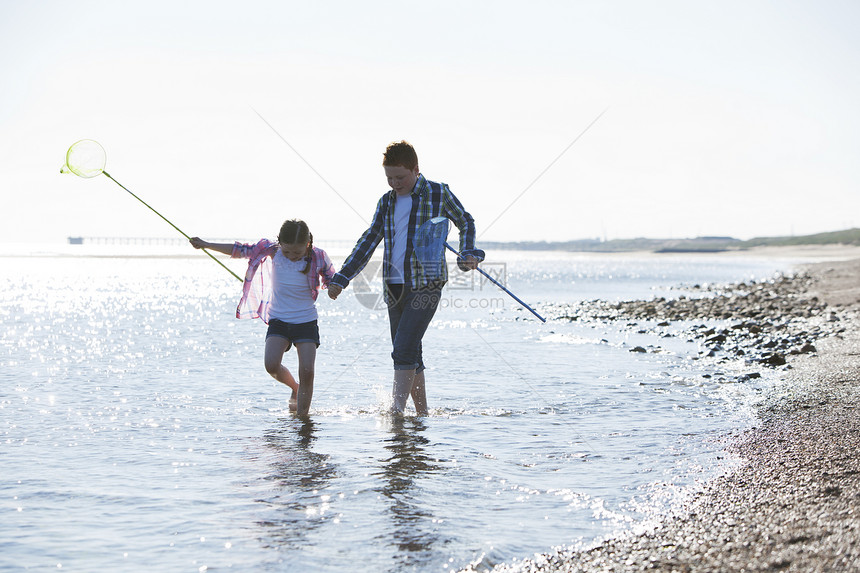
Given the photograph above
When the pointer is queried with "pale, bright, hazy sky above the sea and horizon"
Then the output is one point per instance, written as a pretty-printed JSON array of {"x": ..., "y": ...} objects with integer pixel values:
[{"x": 550, "y": 120}]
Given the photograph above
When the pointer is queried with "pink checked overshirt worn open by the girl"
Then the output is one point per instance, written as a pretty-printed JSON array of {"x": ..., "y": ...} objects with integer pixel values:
[{"x": 257, "y": 288}]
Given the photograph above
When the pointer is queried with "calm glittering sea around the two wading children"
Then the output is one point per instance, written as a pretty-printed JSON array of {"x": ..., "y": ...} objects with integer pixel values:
[{"x": 139, "y": 429}]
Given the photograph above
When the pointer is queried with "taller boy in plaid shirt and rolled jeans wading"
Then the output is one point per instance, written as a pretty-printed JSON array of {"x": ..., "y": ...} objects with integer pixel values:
[{"x": 412, "y": 297}]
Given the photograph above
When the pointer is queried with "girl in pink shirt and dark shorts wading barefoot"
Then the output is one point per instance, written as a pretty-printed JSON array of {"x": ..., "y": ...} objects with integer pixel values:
[{"x": 281, "y": 287}]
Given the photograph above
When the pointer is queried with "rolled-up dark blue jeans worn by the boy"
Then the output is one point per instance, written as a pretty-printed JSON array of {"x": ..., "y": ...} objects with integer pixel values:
[{"x": 409, "y": 314}]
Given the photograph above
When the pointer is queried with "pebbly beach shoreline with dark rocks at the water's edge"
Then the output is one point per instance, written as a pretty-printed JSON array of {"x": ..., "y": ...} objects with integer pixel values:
[{"x": 794, "y": 502}]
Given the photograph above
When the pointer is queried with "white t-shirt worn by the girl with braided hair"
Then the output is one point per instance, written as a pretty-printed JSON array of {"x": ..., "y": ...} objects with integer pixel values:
[{"x": 291, "y": 294}]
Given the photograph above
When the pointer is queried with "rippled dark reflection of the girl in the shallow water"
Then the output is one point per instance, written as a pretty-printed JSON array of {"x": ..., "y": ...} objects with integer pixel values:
[{"x": 296, "y": 505}]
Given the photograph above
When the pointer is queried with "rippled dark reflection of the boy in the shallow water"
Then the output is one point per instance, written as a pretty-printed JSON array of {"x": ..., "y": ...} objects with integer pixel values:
[{"x": 415, "y": 532}]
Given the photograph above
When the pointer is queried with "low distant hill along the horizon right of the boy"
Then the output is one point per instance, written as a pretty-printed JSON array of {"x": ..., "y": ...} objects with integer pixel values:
[{"x": 696, "y": 245}]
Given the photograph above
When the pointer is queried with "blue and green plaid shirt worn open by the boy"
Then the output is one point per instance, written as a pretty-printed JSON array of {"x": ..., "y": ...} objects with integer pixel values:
[{"x": 429, "y": 200}]
